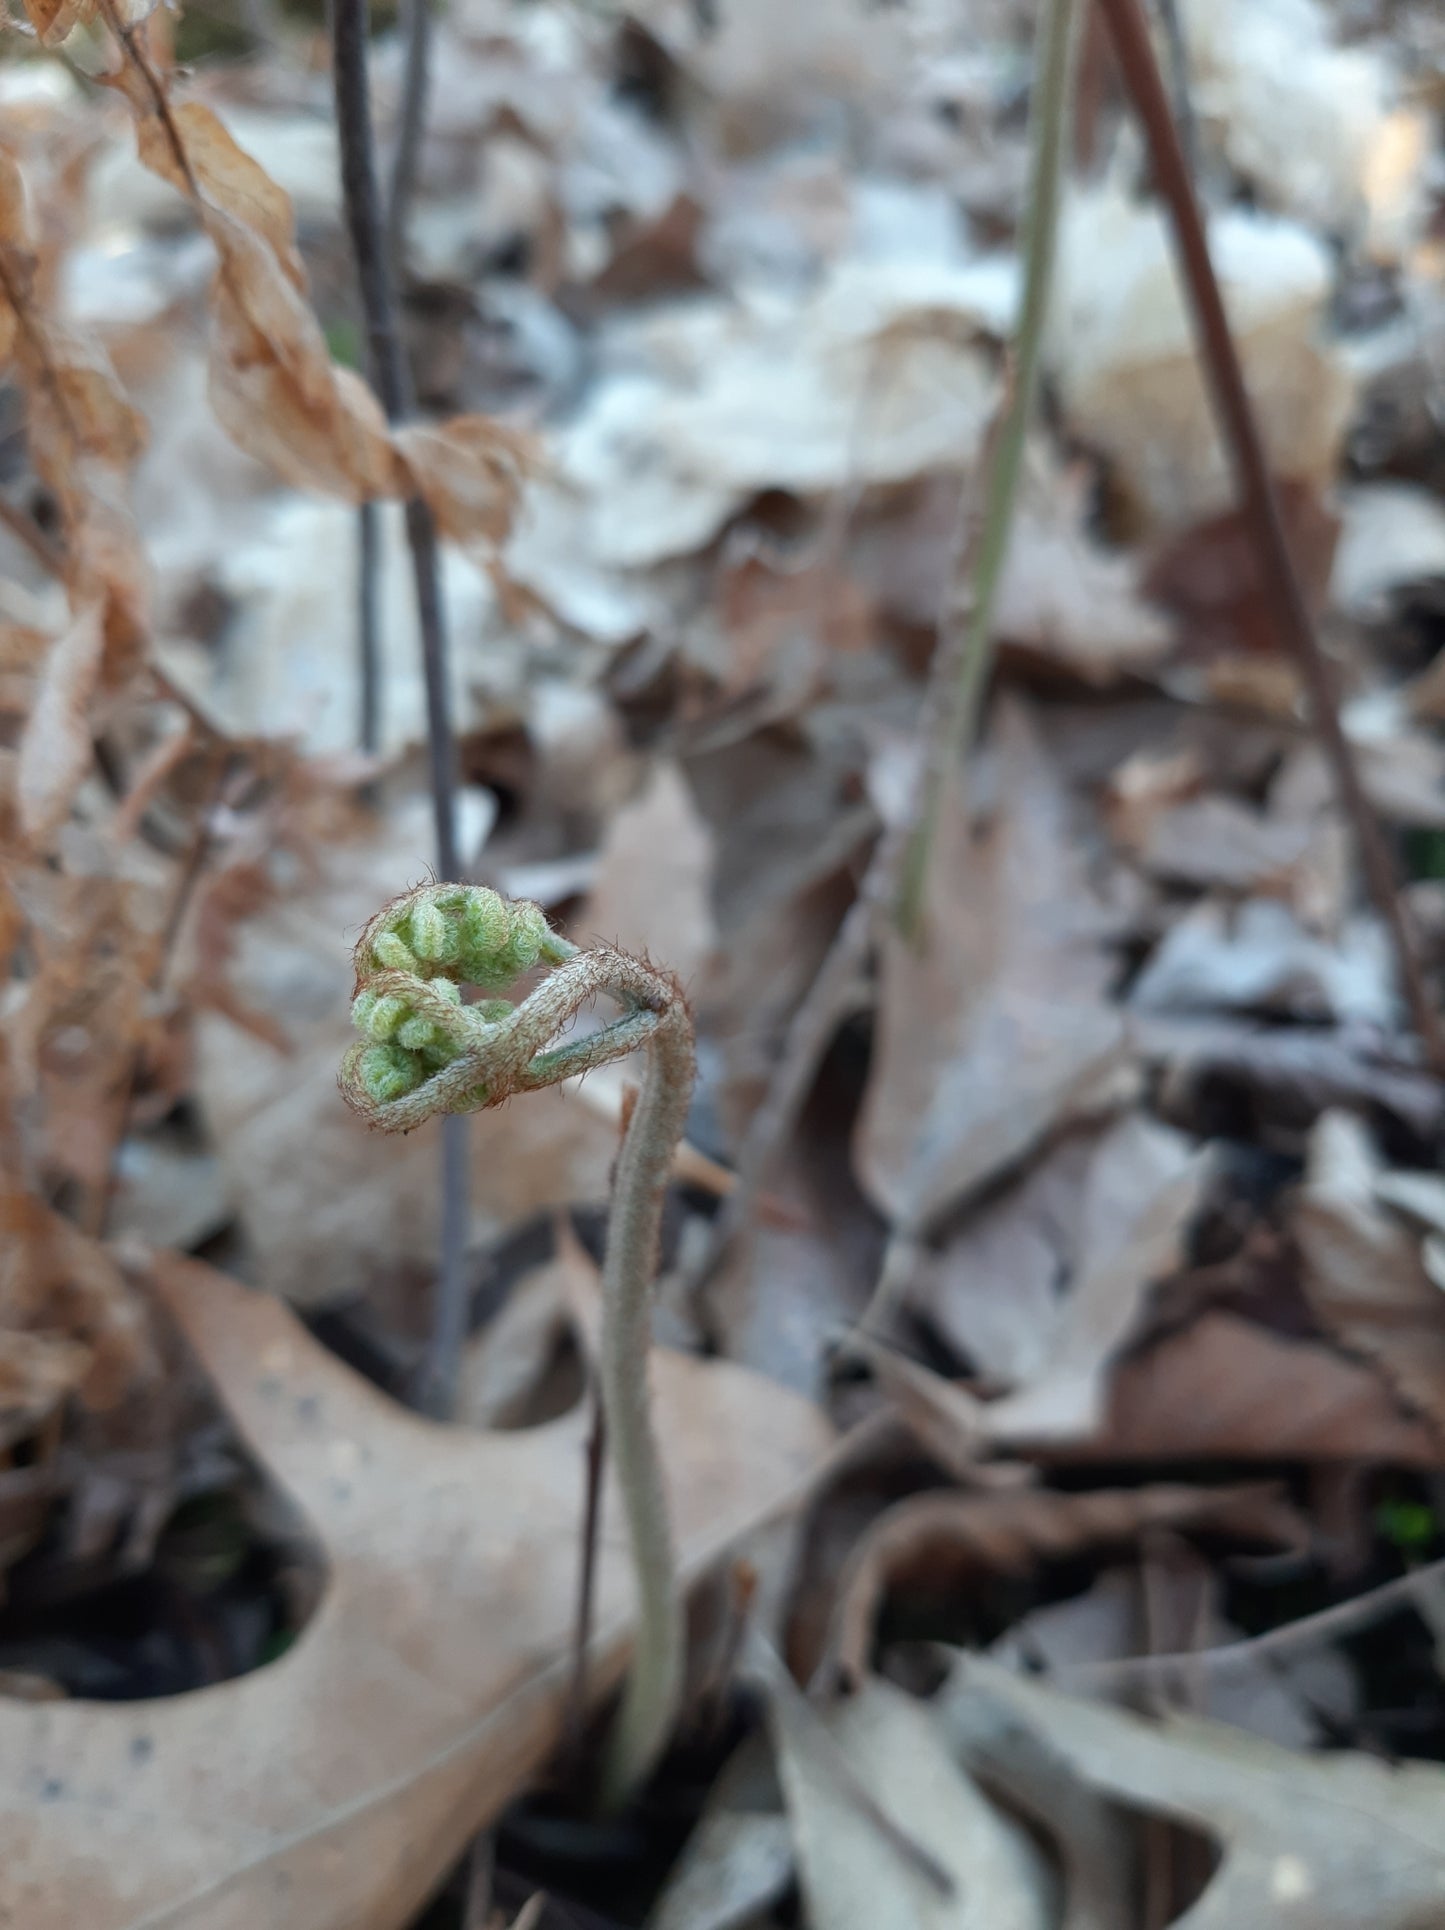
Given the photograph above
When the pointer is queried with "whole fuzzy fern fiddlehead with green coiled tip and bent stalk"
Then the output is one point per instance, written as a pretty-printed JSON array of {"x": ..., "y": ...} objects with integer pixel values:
[{"x": 427, "y": 1053}]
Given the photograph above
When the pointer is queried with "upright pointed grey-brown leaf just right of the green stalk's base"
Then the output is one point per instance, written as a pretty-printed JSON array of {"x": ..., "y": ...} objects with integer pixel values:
[{"x": 996, "y": 1030}]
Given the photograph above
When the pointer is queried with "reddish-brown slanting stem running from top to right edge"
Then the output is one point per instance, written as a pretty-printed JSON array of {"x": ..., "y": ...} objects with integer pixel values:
[{"x": 1241, "y": 437}]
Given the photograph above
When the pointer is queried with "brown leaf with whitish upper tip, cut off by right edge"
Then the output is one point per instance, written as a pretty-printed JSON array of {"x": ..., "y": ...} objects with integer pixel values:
[{"x": 1365, "y": 1273}]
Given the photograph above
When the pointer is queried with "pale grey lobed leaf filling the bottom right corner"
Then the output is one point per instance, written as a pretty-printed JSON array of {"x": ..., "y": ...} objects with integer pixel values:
[{"x": 1307, "y": 1842}]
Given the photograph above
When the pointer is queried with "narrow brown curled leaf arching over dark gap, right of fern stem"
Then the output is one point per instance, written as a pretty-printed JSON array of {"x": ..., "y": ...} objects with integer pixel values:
[{"x": 935, "y": 1539}]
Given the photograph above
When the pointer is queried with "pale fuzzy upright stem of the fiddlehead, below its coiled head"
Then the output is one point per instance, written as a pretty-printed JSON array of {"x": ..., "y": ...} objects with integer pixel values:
[{"x": 655, "y": 1684}]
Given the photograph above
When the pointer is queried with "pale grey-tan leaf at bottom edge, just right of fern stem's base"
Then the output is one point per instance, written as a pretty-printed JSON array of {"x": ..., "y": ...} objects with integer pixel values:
[{"x": 854, "y": 1877}]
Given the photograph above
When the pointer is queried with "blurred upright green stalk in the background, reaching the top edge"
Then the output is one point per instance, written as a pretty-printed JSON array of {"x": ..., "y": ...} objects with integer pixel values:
[{"x": 956, "y": 715}]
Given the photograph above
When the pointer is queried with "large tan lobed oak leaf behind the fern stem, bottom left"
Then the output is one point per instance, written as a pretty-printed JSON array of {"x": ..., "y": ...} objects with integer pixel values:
[{"x": 427, "y": 1690}]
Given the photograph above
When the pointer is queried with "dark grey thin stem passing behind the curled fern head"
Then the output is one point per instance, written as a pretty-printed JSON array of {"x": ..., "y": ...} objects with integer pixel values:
[{"x": 364, "y": 211}]
